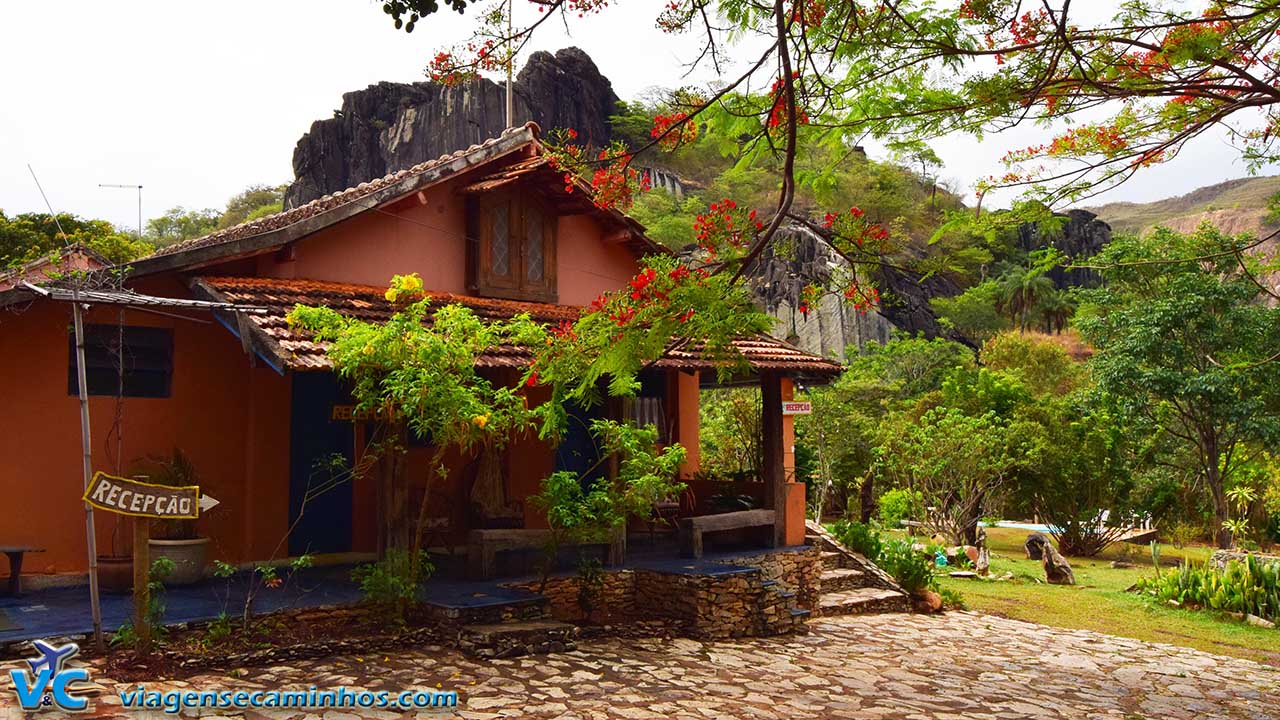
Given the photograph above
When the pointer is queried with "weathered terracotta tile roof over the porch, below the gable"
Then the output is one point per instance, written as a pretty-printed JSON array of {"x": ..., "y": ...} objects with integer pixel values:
[{"x": 298, "y": 353}]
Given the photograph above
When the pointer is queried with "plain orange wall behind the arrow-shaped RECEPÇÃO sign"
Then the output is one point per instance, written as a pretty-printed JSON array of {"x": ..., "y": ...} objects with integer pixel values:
[{"x": 230, "y": 418}]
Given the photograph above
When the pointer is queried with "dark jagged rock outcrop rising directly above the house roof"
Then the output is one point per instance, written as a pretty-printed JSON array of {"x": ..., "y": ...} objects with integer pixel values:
[{"x": 392, "y": 126}]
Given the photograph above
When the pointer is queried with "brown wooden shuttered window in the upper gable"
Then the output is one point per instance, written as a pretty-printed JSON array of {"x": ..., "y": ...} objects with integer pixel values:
[{"x": 514, "y": 249}]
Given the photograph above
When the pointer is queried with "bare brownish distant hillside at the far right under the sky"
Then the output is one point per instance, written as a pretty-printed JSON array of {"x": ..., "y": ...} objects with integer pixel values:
[{"x": 1235, "y": 207}]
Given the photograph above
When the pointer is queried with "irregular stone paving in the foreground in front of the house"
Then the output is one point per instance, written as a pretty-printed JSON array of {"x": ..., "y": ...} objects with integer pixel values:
[{"x": 888, "y": 667}]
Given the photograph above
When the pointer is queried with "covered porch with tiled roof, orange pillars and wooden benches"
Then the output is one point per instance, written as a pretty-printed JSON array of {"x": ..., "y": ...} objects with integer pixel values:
[{"x": 483, "y": 523}]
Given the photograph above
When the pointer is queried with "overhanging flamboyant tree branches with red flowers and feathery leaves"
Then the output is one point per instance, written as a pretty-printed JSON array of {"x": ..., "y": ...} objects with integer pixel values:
[{"x": 1122, "y": 88}]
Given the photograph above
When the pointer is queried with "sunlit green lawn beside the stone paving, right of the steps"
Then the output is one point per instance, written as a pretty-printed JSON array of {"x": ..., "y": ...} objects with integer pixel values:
[{"x": 1100, "y": 603}]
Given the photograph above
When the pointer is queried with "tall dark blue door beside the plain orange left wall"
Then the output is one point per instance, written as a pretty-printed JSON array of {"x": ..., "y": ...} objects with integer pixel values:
[{"x": 321, "y": 448}]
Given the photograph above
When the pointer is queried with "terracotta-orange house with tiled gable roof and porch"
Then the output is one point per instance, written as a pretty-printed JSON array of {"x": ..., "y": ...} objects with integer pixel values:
[{"x": 255, "y": 407}]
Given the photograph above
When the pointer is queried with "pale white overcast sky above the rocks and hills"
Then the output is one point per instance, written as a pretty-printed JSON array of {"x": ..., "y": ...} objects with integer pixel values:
[{"x": 198, "y": 101}]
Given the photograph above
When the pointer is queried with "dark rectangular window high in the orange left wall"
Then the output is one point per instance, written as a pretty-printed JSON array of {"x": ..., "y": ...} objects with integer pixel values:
[{"x": 147, "y": 357}]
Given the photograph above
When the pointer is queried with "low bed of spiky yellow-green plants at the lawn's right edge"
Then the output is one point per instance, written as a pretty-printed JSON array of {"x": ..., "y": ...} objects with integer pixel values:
[{"x": 1251, "y": 587}]
